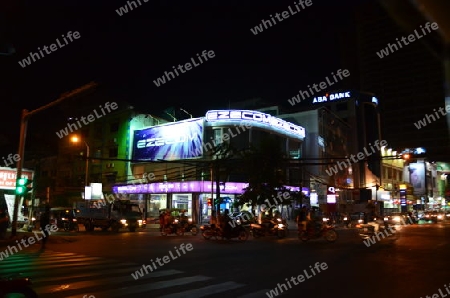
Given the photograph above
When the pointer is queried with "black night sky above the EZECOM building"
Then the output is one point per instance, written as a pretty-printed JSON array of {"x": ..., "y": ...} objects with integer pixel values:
[{"x": 124, "y": 54}]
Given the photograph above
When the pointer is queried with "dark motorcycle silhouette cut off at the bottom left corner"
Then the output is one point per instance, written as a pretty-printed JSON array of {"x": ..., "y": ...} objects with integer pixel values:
[{"x": 16, "y": 286}]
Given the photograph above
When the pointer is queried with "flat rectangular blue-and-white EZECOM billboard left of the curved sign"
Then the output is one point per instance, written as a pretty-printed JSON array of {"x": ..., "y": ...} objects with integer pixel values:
[{"x": 180, "y": 140}]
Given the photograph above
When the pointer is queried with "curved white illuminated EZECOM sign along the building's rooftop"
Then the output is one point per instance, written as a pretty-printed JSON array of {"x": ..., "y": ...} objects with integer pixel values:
[{"x": 255, "y": 116}]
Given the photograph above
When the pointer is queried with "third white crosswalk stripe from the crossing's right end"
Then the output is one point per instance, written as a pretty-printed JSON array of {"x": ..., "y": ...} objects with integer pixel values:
[{"x": 140, "y": 288}]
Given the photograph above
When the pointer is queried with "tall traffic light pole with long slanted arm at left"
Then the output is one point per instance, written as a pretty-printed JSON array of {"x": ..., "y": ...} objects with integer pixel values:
[{"x": 23, "y": 133}]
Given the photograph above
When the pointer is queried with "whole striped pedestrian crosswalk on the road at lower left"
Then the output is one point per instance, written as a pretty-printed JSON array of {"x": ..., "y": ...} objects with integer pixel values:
[{"x": 73, "y": 275}]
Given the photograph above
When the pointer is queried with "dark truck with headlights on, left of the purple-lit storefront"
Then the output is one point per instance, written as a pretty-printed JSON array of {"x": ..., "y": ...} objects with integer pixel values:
[{"x": 116, "y": 215}]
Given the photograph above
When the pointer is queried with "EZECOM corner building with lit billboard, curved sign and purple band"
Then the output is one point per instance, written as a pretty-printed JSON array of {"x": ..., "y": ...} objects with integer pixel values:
[{"x": 180, "y": 158}]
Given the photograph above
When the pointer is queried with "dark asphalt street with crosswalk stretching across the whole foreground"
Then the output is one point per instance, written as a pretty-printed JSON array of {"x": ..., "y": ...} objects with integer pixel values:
[{"x": 411, "y": 263}]
